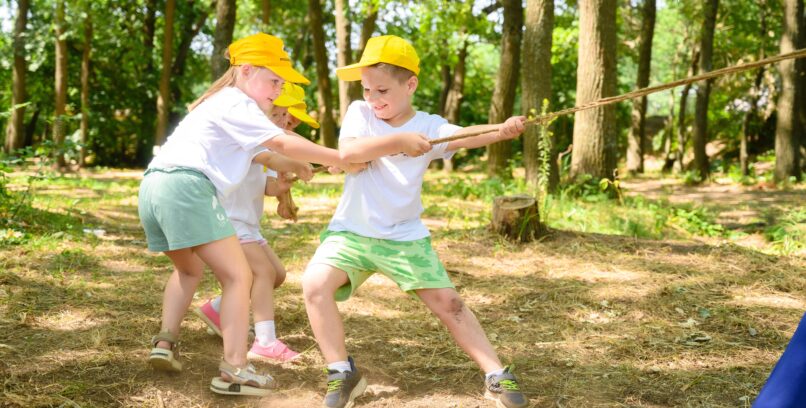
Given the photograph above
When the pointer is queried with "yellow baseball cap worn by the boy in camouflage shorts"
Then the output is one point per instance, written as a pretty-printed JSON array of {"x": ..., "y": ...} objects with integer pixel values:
[{"x": 389, "y": 49}]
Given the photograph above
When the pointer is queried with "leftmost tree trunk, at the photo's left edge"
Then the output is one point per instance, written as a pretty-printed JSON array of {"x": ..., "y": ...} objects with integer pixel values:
[{"x": 15, "y": 132}]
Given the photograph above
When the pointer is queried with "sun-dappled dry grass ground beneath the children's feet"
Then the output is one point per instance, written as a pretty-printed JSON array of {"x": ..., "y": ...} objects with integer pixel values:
[{"x": 589, "y": 320}]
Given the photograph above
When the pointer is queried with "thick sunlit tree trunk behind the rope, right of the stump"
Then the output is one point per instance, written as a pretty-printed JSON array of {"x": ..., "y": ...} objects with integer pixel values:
[{"x": 595, "y": 130}]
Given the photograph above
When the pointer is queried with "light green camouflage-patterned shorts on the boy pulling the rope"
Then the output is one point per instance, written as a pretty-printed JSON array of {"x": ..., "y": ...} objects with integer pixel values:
[{"x": 411, "y": 265}]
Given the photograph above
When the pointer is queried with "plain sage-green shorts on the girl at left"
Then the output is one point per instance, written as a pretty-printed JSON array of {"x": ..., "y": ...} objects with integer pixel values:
[{"x": 179, "y": 209}]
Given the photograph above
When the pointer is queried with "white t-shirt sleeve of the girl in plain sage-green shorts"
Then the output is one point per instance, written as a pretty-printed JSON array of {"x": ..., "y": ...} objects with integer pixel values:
[{"x": 246, "y": 124}]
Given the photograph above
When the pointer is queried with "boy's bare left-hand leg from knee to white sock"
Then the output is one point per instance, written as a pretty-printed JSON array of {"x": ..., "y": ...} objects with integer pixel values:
[{"x": 319, "y": 284}]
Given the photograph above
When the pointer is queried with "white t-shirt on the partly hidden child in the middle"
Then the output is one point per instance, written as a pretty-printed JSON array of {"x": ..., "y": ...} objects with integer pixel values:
[{"x": 244, "y": 205}]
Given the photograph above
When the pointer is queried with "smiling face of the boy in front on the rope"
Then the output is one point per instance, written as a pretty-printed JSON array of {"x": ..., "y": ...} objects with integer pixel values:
[{"x": 388, "y": 97}]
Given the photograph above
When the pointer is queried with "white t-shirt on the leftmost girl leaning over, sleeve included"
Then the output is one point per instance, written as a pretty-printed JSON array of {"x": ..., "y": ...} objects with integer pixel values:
[{"x": 218, "y": 138}]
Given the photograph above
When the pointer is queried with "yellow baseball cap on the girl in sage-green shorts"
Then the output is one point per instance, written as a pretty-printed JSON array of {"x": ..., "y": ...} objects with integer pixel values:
[{"x": 265, "y": 50}]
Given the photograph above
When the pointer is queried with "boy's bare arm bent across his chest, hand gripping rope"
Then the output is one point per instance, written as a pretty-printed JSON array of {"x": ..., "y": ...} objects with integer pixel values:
[{"x": 365, "y": 149}]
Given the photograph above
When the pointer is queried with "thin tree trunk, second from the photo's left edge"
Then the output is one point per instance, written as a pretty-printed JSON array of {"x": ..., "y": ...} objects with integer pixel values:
[{"x": 61, "y": 84}]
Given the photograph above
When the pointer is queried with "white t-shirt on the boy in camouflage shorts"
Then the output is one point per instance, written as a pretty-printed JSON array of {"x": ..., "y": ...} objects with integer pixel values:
[{"x": 383, "y": 201}]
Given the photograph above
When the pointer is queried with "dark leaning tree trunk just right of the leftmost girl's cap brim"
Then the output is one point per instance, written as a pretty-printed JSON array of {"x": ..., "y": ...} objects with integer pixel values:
[{"x": 325, "y": 95}]
